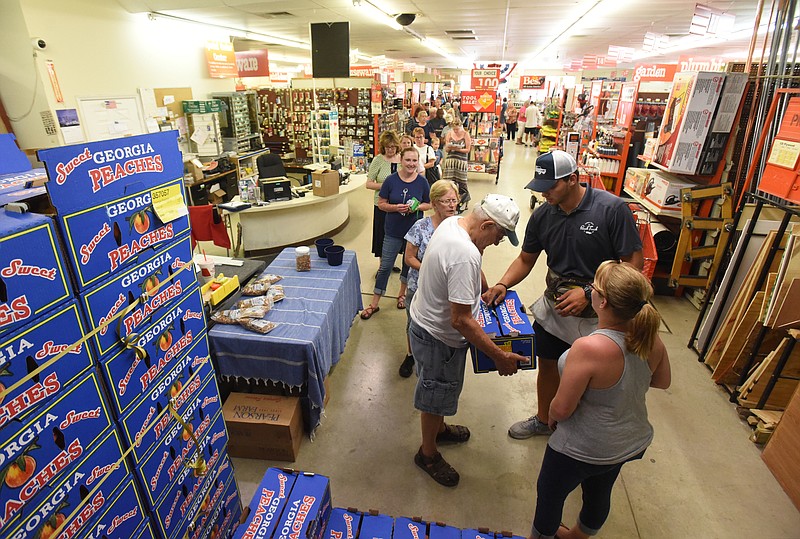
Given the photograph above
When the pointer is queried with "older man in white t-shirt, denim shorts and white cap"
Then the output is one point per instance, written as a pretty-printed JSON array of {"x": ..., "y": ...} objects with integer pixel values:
[{"x": 443, "y": 323}]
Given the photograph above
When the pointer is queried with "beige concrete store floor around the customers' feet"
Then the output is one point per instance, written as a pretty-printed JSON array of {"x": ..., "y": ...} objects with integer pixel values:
[{"x": 701, "y": 477}]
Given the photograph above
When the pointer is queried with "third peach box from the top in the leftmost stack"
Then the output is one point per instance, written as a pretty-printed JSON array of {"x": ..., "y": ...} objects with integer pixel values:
[{"x": 50, "y": 443}]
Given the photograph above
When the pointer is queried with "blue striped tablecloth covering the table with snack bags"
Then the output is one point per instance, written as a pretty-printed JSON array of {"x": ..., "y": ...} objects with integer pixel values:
[{"x": 313, "y": 325}]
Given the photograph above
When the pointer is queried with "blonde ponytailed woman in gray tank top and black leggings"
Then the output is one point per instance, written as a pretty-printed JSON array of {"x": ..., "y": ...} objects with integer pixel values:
[{"x": 599, "y": 413}]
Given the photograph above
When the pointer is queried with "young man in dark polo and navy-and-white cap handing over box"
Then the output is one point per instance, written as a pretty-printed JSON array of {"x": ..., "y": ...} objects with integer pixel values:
[{"x": 578, "y": 229}]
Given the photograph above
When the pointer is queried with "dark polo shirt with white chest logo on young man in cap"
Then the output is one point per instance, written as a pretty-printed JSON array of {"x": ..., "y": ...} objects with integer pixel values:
[{"x": 601, "y": 228}]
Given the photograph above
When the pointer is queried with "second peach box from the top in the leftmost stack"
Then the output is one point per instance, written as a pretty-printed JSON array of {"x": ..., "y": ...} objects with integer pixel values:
[{"x": 26, "y": 349}]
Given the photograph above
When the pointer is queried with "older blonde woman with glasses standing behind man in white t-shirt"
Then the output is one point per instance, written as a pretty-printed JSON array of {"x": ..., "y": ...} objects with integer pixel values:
[{"x": 444, "y": 199}]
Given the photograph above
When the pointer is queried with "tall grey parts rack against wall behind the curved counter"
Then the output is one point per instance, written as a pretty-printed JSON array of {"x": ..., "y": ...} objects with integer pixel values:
[{"x": 239, "y": 122}]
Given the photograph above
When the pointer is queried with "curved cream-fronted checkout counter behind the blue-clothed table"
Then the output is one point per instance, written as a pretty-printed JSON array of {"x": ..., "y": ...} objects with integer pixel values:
[{"x": 298, "y": 220}]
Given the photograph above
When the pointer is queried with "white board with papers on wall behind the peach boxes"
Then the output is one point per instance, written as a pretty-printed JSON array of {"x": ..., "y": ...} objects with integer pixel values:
[{"x": 111, "y": 117}]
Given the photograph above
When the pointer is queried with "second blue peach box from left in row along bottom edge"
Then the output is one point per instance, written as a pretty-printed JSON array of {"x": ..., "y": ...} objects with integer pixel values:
[{"x": 307, "y": 509}]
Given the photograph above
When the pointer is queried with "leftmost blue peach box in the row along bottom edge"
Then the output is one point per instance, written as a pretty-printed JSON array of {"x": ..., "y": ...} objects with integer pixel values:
[{"x": 267, "y": 504}]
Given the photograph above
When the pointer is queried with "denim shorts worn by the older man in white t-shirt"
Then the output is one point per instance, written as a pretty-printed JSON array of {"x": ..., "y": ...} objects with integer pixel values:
[{"x": 441, "y": 372}]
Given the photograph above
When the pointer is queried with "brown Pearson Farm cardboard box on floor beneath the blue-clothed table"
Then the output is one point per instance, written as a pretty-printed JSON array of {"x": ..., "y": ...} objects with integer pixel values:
[{"x": 263, "y": 426}]
